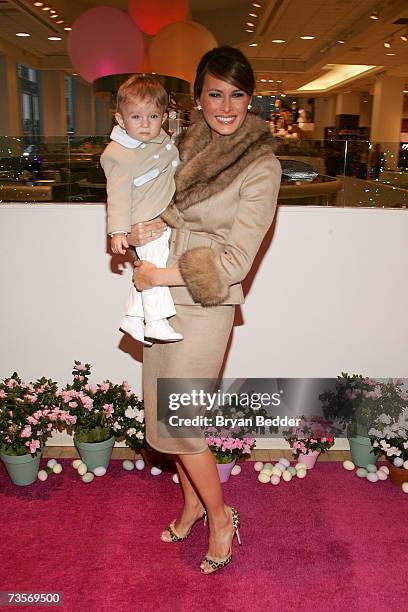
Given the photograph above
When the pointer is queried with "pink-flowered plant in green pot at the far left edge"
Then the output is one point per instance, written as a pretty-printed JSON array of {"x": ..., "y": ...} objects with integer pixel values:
[{"x": 28, "y": 414}]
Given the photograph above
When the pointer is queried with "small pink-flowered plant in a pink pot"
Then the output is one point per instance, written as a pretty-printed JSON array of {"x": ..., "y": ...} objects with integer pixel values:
[{"x": 310, "y": 438}]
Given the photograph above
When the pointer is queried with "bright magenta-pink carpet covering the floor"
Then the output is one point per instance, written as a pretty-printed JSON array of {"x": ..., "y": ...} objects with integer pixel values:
[{"x": 329, "y": 542}]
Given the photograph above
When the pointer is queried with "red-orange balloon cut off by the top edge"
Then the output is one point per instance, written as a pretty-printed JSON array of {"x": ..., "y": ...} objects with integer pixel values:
[{"x": 152, "y": 15}]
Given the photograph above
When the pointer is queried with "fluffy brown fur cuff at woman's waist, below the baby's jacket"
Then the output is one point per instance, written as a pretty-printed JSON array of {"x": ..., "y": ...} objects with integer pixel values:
[{"x": 202, "y": 276}]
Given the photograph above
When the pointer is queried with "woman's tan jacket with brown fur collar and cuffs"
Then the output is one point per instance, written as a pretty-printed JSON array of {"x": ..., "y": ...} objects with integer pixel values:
[{"x": 225, "y": 202}]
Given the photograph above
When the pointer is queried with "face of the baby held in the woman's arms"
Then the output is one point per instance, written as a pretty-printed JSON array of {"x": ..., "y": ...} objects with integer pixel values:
[{"x": 141, "y": 119}]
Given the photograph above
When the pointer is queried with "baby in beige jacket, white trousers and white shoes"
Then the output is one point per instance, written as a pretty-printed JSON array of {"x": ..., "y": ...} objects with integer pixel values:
[{"x": 139, "y": 165}]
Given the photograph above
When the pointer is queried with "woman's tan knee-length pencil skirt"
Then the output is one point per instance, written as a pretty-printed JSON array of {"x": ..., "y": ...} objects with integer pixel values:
[{"x": 199, "y": 355}]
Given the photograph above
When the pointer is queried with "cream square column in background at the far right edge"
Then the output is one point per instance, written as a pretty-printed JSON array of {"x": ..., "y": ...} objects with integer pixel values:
[{"x": 387, "y": 117}]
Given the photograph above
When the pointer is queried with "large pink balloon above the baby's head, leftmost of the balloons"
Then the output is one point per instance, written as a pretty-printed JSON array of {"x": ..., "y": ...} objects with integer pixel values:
[{"x": 104, "y": 41}]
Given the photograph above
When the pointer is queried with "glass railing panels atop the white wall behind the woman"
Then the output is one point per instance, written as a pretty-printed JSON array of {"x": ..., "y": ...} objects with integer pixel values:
[{"x": 315, "y": 172}]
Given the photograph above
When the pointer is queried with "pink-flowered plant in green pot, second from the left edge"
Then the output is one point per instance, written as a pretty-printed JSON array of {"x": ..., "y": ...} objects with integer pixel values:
[{"x": 100, "y": 411}]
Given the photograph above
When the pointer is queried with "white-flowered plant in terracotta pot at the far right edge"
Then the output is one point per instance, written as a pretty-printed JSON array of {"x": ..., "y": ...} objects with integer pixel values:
[{"x": 390, "y": 437}]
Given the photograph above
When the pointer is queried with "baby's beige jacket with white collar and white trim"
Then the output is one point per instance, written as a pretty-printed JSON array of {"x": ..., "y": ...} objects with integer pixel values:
[{"x": 140, "y": 178}]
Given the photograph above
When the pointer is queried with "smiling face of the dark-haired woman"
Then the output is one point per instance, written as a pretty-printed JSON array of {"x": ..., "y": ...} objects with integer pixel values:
[{"x": 224, "y": 106}]
